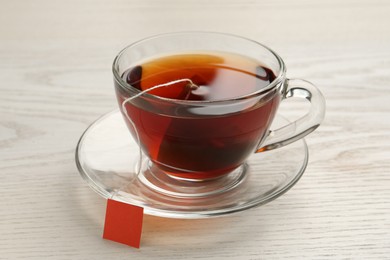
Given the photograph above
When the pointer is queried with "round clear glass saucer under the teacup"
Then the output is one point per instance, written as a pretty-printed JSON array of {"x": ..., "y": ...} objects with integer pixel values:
[{"x": 108, "y": 157}]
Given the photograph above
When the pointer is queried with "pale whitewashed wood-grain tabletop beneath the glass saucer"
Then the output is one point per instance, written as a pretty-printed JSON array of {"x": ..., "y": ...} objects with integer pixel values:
[{"x": 55, "y": 79}]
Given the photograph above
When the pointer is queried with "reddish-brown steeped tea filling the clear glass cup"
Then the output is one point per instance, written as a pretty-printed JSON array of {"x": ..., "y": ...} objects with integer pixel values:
[{"x": 200, "y": 147}]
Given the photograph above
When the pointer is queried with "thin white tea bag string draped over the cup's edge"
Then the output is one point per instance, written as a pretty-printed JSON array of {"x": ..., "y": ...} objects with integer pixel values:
[{"x": 189, "y": 87}]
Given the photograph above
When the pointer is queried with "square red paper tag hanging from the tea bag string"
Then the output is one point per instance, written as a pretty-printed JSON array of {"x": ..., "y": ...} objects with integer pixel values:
[{"x": 123, "y": 223}]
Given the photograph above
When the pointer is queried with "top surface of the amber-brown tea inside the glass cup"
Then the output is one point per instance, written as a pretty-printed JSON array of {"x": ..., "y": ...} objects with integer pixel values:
[{"x": 219, "y": 76}]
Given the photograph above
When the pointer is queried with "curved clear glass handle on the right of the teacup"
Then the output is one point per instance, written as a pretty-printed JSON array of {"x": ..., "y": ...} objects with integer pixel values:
[{"x": 303, "y": 126}]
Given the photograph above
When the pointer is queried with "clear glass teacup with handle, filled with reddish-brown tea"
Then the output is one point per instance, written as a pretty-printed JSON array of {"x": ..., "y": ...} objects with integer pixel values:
[{"x": 192, "y": 136}]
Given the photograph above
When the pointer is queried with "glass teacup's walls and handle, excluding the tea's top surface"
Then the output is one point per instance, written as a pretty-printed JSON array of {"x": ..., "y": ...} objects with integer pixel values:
[{"x": 197, "y": 141}]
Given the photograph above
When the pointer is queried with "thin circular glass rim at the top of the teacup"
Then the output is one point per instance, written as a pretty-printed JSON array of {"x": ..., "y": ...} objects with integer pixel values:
[{"x": 127, "y": 87}]
